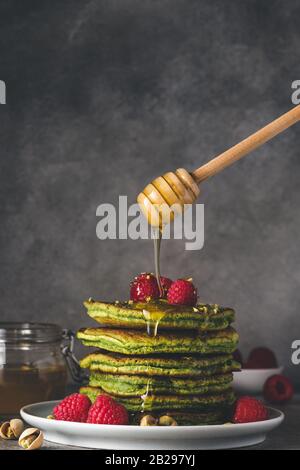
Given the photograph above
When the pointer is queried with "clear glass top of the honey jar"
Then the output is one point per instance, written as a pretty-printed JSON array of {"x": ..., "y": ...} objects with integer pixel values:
[{"x": 29, "y": 332}]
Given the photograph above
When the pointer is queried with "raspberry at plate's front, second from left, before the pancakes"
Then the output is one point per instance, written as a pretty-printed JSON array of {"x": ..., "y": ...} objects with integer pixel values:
[{"x": 106, "y": 410}]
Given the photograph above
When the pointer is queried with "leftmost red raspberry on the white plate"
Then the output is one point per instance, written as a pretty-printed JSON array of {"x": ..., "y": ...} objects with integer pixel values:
[{"x": 75, "y": 408}]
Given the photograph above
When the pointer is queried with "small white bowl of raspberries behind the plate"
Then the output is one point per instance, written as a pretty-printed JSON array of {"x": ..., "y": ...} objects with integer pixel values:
[{"x": 252, "y": 381}]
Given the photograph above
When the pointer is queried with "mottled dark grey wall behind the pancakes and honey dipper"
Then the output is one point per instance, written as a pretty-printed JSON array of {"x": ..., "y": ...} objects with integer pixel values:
[{"x": 102, "y": 96}]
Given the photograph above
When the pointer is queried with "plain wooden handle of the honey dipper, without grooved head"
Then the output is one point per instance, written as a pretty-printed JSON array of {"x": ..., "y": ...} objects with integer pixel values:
[{"x": 246, "y": 146}]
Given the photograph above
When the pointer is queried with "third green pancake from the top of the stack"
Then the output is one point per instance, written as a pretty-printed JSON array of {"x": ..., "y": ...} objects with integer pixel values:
[{"x": 172, "y": 365}]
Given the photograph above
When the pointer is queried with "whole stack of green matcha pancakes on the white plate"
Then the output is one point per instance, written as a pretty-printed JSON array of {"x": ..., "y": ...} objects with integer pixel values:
[{"x": 160, "y": 359}]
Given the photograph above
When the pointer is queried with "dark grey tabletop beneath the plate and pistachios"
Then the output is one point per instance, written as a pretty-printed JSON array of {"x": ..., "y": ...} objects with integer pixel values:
[{"x": 286, "y": 437}]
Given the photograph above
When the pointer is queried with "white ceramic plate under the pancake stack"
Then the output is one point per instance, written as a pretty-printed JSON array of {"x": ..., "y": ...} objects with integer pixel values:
[{"x": 101, "y": 436}]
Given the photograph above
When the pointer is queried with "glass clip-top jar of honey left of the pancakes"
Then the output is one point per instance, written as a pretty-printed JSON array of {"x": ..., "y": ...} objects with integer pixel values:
[{"x": 33, "y": 364}]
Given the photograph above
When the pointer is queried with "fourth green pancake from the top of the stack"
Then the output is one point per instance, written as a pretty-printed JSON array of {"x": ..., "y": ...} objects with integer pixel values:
[{"x": 138, "y": 385}]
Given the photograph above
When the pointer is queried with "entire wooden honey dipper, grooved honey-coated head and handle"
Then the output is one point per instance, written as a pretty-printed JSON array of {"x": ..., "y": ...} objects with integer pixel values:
[{"x": 181, "y": 187}]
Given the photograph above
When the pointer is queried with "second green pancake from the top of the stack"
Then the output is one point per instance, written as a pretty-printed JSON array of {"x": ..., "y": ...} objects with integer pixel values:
[{"x": 136, "y": 342}]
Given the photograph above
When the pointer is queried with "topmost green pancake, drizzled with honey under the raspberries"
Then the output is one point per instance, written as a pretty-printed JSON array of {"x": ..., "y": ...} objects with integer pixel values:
[{"x": 150, "y": 315}]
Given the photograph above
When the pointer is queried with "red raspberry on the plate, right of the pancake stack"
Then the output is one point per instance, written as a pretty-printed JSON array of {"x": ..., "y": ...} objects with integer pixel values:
[{"x": 249, "y": 410}]
